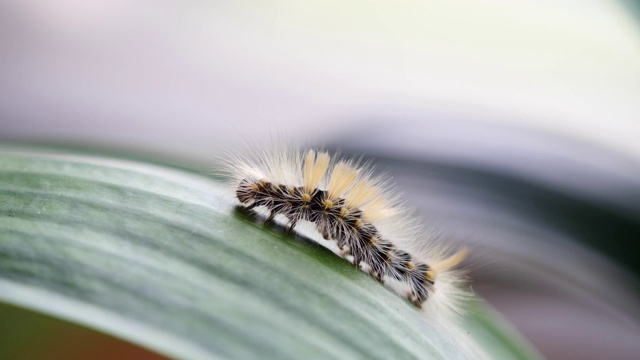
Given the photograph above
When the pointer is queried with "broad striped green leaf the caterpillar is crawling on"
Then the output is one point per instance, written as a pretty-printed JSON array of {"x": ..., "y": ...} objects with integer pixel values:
[{"x": 159, "y": 256}]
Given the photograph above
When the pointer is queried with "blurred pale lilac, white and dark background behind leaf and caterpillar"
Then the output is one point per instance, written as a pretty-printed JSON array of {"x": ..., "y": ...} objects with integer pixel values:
[{"x": 511, "y": 126}]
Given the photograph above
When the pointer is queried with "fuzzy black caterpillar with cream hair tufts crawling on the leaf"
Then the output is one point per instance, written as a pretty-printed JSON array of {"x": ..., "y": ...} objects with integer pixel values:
[{"x": 355, "y": 209}]
